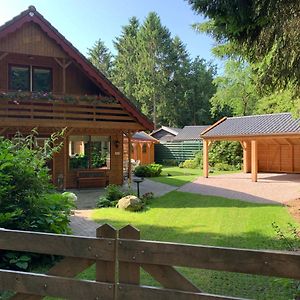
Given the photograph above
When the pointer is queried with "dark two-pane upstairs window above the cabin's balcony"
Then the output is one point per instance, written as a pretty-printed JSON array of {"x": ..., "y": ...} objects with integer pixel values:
[{"x": 29, "y": 78}]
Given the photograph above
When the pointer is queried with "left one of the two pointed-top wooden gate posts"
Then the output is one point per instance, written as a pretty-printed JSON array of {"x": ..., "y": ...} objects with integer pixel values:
[{"x": 106, "y": 270}]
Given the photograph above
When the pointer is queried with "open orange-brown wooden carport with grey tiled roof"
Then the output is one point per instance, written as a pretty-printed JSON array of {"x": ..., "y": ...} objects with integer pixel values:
[{"x": 271, "y": 142}]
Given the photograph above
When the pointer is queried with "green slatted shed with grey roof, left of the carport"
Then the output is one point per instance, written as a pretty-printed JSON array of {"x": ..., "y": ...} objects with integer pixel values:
[{"x": 182, "y": 147}]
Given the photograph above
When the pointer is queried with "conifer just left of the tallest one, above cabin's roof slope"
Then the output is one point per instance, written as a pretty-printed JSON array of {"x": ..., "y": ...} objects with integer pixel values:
[{"x": 124, "y": 73}]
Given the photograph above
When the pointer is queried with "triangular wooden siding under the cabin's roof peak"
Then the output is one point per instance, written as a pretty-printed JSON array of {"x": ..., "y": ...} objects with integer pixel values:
[{"x": 31, "y": 40}]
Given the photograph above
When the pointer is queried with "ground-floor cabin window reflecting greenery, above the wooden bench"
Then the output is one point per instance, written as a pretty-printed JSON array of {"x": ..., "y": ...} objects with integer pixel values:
[{"x": 89, "y": 152}]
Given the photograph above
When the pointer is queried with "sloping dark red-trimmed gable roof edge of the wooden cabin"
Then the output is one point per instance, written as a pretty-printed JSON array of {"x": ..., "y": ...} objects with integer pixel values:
[{"x": 32, "y": 15}]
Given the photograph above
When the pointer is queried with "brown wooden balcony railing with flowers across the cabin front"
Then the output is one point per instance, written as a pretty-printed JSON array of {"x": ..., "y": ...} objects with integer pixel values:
[{"x": 58, "y": 111}]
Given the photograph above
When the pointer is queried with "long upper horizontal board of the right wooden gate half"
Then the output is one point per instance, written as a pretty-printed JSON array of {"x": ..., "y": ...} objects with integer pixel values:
[{"x": 214, "y": 258}]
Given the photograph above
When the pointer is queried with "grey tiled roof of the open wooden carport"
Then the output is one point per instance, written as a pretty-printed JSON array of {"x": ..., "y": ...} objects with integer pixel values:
[{"x": 281, "y": 123}]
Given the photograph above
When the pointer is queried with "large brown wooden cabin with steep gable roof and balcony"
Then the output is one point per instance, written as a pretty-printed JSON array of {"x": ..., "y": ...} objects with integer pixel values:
[{"x": 45, "y": 83}]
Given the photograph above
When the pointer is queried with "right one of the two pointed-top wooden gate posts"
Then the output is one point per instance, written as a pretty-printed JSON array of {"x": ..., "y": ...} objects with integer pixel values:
[{"x": 129, "y": 272}]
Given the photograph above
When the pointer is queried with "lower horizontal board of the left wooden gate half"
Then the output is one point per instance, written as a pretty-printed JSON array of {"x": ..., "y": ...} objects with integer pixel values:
[{"x": 47, "y": 285}]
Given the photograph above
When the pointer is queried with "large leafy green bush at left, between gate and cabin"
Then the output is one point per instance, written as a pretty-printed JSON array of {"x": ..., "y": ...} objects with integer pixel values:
[{"x": 27, "y": 199}]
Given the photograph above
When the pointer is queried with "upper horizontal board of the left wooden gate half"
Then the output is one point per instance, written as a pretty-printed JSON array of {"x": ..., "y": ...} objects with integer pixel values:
[{"x": 64, "y": 245}]
